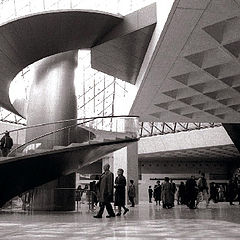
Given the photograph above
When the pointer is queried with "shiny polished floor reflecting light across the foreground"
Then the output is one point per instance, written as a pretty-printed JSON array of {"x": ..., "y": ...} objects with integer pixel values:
[{"x": 145, "y": 221}]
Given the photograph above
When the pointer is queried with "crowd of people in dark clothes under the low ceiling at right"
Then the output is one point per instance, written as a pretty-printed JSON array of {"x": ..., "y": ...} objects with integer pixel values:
[{"x": 194, "y": 191}]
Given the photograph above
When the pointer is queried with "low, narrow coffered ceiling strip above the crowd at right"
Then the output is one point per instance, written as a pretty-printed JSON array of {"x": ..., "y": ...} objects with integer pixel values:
[{"x": 226, "y": 153}]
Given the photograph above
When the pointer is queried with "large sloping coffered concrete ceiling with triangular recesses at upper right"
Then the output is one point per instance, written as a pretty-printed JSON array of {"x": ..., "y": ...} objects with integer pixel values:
[{"x": 191, "y": 73}]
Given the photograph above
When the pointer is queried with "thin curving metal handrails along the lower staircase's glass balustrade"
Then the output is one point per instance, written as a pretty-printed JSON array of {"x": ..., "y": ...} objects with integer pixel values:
[{"x": 61, "y": 129}]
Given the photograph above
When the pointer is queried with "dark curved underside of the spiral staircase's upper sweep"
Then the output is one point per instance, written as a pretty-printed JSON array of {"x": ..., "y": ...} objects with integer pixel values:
[{"x": 30, "y": 38}]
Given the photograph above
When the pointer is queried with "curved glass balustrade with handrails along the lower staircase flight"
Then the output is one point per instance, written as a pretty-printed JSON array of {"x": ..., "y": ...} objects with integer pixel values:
[{"x": 77, "y": 132}]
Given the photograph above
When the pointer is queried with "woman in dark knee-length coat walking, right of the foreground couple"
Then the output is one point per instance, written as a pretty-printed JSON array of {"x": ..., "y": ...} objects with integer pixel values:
[{"x": 120, "y": 185}]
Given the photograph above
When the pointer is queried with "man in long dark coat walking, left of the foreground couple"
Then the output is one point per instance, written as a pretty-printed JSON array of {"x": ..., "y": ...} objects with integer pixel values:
[{"x": 105, "y": 185}]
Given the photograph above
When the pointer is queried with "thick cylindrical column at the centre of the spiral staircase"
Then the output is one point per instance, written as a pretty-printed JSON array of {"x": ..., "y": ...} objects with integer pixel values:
[{"x": 52, "y": 98}]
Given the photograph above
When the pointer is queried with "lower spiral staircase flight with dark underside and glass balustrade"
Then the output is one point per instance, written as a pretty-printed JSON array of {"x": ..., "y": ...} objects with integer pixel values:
[{"x": 31, "y": 164}]
